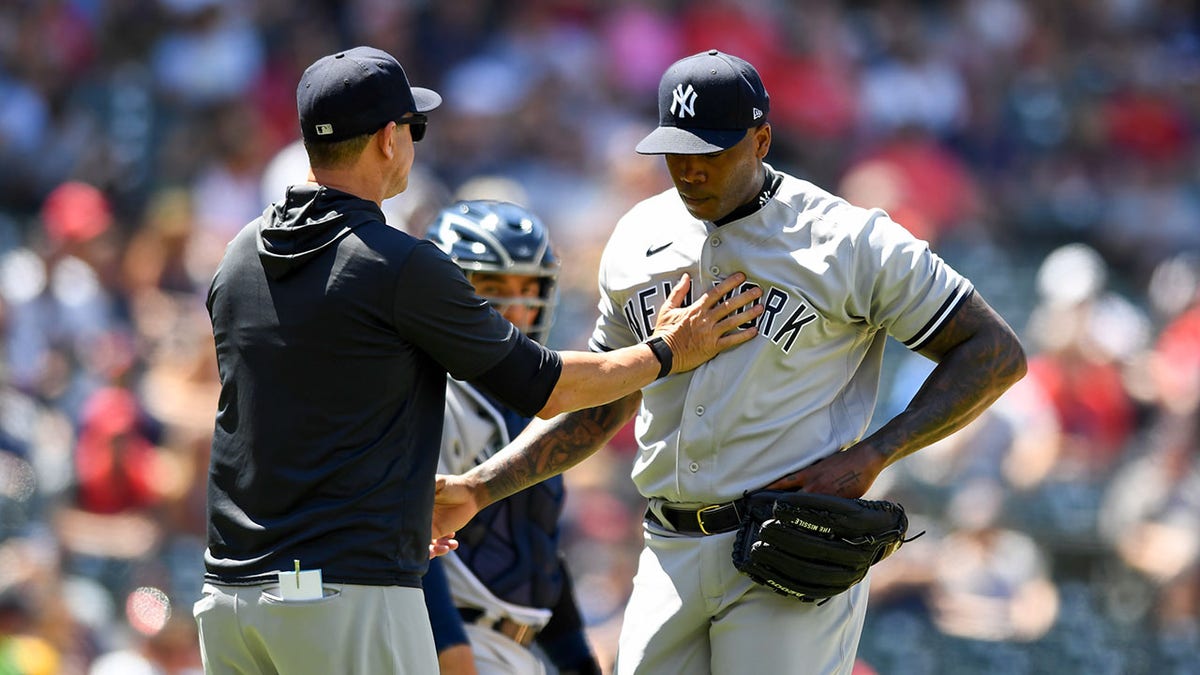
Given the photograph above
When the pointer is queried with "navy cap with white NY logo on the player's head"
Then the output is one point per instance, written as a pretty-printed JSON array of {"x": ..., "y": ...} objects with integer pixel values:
[{"x": 706, "y": 104}]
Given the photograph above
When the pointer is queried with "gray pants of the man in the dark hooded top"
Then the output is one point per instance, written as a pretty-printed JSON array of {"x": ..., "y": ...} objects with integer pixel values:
[{"x": 353, "y": 630}]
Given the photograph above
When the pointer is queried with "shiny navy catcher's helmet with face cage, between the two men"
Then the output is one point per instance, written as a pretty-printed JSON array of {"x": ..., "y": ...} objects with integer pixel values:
[{"x": 502, "y": 238}]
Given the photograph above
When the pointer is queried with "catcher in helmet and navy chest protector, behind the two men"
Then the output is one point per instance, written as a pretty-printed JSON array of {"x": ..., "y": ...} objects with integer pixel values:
[{"x": 508, "y": 587}]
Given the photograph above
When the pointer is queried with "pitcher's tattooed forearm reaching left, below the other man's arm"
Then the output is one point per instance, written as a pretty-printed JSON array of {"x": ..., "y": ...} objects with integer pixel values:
[{"x": 551, "y": 447}]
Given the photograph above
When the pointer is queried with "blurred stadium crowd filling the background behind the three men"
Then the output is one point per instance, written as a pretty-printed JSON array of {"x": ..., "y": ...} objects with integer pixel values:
[{"x": 1047, "y": 150}]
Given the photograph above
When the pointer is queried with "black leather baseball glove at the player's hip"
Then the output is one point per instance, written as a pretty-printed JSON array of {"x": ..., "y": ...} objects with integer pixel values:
[{"x": 814, "y": 547}]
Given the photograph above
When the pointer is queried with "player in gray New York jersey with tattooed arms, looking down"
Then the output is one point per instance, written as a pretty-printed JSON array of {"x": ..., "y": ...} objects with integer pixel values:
[{"x": 787, "y": 411}]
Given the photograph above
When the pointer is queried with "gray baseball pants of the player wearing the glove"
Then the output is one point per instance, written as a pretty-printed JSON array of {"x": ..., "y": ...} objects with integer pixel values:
[{"x": 692, "y": 612}]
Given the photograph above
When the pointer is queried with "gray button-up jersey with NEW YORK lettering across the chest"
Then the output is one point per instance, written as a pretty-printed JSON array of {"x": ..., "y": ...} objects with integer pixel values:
[{"x": 837, "y": 280}]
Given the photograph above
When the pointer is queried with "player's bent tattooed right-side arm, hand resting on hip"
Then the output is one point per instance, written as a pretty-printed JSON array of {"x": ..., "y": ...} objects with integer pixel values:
[{"x": 979, "y": 360}]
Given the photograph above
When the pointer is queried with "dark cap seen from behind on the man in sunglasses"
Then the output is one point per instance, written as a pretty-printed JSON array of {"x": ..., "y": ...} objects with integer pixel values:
[{"x": 357, "y": 92}]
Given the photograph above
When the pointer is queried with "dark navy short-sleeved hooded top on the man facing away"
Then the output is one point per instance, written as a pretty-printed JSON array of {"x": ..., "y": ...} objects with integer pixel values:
[{"x": 334, "y": 336}]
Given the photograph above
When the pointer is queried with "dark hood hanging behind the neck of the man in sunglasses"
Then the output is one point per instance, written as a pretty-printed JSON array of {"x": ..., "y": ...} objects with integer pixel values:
[{"x": 309, "y": 220}]
